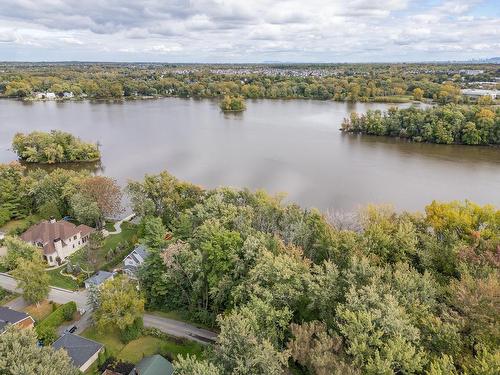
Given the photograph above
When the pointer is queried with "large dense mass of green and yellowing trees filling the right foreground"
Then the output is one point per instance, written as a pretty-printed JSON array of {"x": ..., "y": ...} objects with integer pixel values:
[{"x": 379, "y": 292}]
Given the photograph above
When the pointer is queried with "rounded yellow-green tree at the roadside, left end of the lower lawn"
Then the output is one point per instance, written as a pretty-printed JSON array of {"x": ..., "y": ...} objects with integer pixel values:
[{"x": 120, "y": 304}]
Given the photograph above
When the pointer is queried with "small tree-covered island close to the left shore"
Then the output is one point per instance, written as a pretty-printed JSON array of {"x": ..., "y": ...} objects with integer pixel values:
[{"x": 53, "y": 147}]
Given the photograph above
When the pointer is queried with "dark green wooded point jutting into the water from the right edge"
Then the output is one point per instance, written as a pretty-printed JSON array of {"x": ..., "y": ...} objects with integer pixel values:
[{"x": 471, "y": 125}]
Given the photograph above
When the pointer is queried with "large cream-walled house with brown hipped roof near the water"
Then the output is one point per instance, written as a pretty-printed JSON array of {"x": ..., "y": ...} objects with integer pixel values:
[{"x": 58, "y": 239}]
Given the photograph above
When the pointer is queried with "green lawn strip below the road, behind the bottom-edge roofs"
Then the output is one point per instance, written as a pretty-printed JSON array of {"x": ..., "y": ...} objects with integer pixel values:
[{"x": 144, "y": 346}]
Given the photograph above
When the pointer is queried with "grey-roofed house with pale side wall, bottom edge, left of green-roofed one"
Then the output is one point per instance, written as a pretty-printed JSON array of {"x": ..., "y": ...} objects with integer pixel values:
[{"x": 83, "y": 352}]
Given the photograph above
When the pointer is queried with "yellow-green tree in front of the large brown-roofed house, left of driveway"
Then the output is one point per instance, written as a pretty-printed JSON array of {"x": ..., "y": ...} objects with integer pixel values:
[{"x": 32, "y": 279}]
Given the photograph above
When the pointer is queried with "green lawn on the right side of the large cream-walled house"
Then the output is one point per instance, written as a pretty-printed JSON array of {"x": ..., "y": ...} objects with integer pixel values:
[{"x": 128, "y": 235}]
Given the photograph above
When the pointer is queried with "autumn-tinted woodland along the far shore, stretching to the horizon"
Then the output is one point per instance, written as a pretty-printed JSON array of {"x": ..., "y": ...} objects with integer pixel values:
[{"x": 353, "y": 82}]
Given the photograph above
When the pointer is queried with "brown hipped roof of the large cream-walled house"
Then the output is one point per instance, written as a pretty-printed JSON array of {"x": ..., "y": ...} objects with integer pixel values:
[{"x": 47, "y": 232}]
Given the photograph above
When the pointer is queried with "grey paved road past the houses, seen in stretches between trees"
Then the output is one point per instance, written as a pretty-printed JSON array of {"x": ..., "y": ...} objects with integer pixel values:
[{"x": 169, "y": 326}]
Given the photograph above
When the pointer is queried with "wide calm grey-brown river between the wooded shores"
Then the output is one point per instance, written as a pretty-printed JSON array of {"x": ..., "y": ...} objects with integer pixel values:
[{"x": 281, "y": 146}]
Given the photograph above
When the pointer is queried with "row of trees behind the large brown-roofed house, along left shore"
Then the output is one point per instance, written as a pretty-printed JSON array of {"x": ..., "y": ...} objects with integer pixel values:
[{"x": 58, "y": 193}]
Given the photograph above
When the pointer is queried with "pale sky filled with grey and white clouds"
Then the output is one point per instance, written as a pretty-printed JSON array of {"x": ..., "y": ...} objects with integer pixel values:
[{"x": 245, "y": 31}]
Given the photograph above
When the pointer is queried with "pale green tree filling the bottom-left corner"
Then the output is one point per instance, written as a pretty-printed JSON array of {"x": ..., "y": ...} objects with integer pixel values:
[{"x": 22, "y": 355}]
